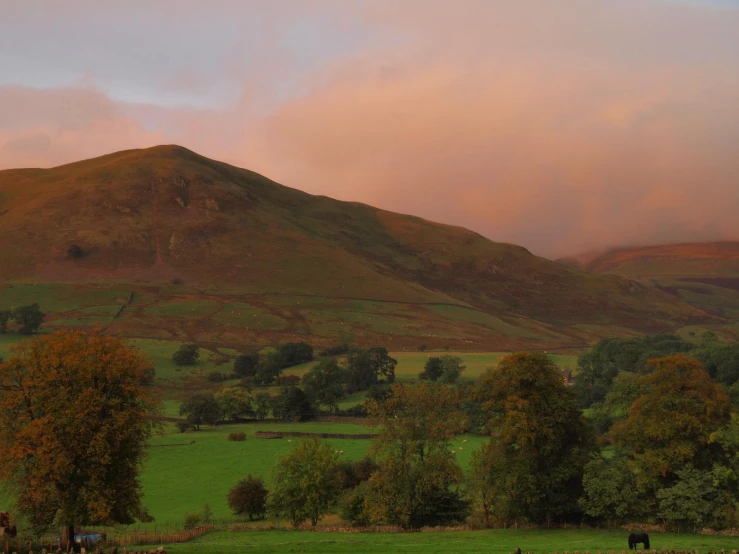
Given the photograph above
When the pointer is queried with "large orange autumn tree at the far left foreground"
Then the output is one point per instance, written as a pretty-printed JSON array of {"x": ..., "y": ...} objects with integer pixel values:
[{"x": 74, "y": 422}]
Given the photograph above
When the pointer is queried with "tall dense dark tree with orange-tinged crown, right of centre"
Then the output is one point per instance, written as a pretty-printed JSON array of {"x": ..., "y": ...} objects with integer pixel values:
[{"x": 539, "y": 441}]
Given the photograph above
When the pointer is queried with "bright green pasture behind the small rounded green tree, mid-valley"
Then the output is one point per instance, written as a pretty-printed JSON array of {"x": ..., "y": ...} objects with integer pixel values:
[{"x": 186, "y": 470}]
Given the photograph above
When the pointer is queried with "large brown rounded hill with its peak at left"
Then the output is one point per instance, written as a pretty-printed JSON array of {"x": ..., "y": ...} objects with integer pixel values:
[{"x": 166, "y": 215}]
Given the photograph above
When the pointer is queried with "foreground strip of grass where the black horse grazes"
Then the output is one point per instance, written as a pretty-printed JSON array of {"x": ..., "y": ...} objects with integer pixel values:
[{"x": 499, "y": 541}]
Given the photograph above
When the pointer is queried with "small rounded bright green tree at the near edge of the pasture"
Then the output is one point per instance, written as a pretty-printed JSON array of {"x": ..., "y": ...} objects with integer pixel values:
[{"x": 304, "y": 484}]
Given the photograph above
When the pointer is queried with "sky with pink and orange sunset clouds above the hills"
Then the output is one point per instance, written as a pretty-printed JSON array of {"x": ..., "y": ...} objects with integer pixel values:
[{"x": 563, "y": 126}]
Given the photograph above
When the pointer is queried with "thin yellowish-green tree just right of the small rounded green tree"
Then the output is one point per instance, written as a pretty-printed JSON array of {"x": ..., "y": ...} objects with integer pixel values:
[{"x": 418, "y": 475}]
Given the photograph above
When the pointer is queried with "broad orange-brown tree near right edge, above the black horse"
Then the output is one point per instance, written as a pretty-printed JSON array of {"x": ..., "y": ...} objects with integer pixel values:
[{"x": 674, "y": 423}]
